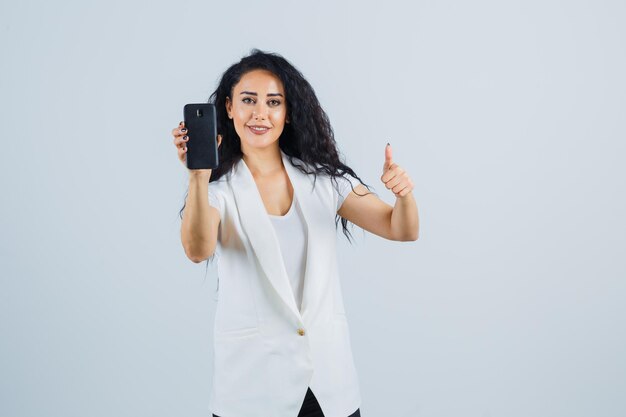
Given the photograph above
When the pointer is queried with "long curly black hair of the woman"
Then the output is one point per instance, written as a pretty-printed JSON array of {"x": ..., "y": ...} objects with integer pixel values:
[{"x": 308, "y": 136}]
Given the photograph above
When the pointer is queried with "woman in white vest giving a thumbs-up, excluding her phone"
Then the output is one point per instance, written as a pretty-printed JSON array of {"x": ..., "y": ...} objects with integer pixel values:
[{"x": 269, "y": 212}]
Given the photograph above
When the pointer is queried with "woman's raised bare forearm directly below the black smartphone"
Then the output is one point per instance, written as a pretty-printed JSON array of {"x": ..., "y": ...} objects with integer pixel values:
[{"x": 200, "y": 220}]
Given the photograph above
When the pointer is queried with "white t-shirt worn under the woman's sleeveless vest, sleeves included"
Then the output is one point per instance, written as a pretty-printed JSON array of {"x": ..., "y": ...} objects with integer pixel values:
[{"x": 292, "y": 235}]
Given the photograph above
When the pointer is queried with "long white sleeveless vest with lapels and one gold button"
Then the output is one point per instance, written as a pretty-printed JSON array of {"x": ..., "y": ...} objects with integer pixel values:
[{"x": 267, "y": 352}]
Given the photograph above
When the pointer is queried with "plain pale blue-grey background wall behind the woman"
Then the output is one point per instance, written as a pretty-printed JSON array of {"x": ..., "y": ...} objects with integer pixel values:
[{"x": 509, "y": 117}]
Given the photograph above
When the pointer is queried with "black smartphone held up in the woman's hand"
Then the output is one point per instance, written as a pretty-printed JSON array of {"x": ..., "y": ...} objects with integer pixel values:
[{"x": 201, "y": 123}]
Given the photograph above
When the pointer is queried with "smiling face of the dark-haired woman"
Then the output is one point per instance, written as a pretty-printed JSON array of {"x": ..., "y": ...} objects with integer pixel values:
[{"x": 258, "y": 109}]
